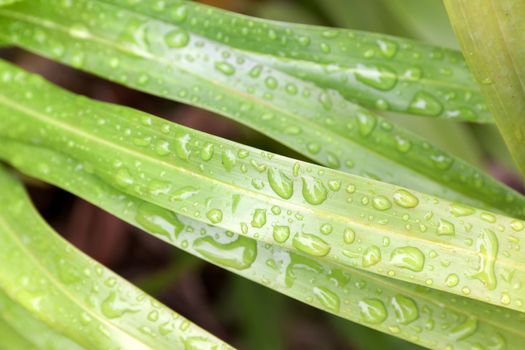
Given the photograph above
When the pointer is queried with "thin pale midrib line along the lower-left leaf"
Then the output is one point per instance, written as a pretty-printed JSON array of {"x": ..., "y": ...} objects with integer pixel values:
[{"x": 14, "y": 237}]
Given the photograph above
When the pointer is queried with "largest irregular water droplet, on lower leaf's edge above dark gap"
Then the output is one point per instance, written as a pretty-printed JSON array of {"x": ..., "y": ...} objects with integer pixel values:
[{"x": 239, "y": 254}]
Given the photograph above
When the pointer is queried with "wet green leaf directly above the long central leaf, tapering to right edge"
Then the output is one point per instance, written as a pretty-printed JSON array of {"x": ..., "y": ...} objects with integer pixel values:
[{"x": 316, "y": 122}]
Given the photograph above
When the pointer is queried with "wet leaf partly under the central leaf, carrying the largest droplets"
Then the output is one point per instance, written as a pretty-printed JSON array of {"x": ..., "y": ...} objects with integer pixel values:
[{"x": 421, "y": 315}]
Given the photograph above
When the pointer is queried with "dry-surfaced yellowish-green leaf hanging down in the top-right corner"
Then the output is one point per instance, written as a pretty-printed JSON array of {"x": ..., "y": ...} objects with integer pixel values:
[{"x": 492, "y": 35}]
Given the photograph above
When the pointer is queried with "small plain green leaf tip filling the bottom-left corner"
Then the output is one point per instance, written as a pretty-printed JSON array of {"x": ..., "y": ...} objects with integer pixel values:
[{"x": 31, "y": 332}]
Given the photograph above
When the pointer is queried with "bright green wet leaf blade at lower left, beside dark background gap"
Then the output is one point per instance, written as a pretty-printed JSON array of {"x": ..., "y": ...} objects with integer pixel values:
[{"x": 75, "y": 295}]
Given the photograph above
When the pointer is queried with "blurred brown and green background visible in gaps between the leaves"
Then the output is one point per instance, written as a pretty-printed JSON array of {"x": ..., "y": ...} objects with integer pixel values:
[{"x": 239, "y": 311}]
